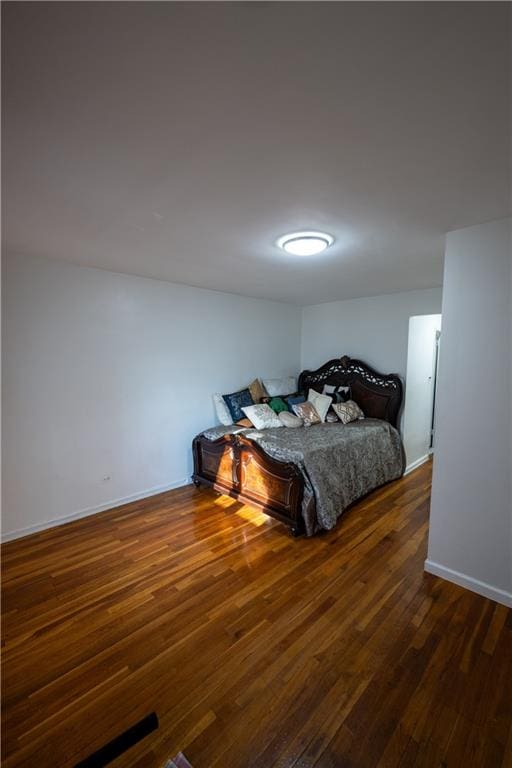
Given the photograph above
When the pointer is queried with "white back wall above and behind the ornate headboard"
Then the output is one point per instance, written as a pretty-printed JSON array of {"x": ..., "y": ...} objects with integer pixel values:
[{"x": 375, "y": 329}]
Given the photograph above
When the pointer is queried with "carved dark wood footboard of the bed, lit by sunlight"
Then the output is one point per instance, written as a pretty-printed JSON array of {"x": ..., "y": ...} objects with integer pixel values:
[{"x": 239, "y": 468}]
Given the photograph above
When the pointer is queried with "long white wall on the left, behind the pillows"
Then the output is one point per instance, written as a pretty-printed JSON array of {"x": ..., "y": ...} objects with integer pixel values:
[{"x": 108, "y": 375}]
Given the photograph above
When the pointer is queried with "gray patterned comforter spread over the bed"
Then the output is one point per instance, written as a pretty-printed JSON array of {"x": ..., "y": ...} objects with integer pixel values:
[{"x": 340, "y": 463}]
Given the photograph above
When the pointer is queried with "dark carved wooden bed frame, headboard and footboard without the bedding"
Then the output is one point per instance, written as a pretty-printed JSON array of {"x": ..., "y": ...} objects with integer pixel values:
[{"x": 238, "y": 467}]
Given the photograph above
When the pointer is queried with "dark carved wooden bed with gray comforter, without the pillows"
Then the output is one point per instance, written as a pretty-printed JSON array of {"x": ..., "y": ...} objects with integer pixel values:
[{"x": 308, "y": 477}]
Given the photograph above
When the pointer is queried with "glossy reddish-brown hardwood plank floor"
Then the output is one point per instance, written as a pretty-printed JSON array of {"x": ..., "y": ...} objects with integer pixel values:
[{"x": 253, "y": 648}]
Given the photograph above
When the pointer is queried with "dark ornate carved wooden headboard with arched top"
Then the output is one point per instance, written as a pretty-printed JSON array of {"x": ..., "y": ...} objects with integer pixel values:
[{"x": 378, "y": 394}]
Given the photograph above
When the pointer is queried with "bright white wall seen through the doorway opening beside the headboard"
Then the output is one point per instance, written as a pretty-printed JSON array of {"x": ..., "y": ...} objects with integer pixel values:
[{"x": 419, "y": 392}]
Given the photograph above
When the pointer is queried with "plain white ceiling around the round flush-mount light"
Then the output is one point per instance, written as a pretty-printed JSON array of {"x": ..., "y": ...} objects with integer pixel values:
[{"x": 179, "y": 140}]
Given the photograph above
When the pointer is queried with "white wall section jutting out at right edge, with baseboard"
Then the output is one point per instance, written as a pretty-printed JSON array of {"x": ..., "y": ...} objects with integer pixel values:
[{"x": 471, "y": 512}]
